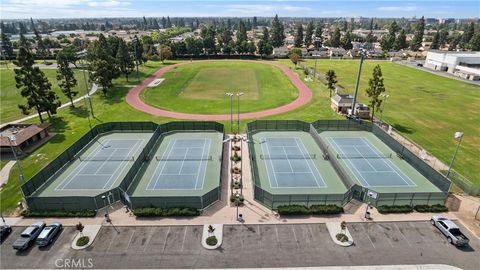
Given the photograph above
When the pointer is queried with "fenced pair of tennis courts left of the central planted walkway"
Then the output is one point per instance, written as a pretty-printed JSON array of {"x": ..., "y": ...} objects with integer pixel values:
[{"x": 106, "y": 160}]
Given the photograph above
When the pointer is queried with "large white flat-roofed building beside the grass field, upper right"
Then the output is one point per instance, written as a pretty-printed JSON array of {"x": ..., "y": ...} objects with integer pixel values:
[{"x": 462, "y": 64}]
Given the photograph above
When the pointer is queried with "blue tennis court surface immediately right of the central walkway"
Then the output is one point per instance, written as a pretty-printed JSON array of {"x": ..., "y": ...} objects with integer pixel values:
[{"x": 289, "y": 165}]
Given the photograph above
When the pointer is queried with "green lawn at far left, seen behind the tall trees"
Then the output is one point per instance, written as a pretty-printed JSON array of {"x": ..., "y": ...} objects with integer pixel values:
[{"x": 10, "y": 96}]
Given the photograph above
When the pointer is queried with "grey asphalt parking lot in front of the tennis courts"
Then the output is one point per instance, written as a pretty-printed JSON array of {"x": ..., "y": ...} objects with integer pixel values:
[{"x": 282, "y": 245}]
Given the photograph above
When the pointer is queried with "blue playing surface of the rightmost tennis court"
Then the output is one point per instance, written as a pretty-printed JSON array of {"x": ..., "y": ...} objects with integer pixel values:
[{"x": 371, "y": 167}]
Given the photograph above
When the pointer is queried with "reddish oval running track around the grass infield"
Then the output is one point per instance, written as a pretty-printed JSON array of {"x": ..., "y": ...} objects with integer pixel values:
[{"x": 133, "y": 98}]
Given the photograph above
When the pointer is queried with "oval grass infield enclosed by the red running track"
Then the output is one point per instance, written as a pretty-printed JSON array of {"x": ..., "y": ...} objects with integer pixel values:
[{"x": 264, "y": 86}]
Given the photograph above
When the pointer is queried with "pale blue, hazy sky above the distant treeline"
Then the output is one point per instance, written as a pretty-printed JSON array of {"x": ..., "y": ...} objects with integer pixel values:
[{"x": 19, "y": 9}]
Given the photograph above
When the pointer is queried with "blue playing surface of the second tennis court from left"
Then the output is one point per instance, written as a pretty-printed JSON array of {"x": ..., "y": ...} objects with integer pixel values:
[{"x": 182, "y": 166}]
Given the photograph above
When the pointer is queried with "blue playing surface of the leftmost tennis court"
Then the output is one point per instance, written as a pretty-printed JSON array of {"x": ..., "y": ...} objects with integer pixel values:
[{"x": 100, "y": 169}]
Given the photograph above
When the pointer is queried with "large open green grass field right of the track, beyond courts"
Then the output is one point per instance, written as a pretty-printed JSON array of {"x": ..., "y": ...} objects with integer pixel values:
[{"x": 425, "y": 107}]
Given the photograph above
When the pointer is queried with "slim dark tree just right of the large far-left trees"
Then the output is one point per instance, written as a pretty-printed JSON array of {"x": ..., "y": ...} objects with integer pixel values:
[{"x": 66, "y": 77}]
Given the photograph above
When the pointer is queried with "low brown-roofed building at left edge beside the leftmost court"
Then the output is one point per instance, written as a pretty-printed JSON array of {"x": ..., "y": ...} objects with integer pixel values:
[{"x": 22, "y": 138}]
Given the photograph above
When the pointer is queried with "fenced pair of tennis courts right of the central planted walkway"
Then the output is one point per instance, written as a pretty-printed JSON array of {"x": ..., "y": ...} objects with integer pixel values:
[{"x": 333, "y": 161}]
